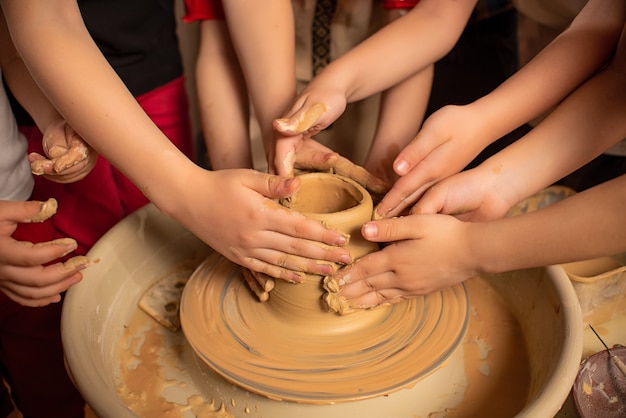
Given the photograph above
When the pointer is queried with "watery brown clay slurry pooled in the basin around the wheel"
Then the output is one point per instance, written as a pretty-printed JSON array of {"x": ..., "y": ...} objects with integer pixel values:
[{"x": 155, "y": 361}]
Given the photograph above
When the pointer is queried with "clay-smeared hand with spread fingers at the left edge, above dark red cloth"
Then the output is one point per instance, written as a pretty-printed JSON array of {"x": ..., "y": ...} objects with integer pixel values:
[{"x": 24, "y": 275}]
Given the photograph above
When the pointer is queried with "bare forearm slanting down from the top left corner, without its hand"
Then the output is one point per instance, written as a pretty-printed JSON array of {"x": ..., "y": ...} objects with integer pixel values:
[{"x": 77, "y": 79}]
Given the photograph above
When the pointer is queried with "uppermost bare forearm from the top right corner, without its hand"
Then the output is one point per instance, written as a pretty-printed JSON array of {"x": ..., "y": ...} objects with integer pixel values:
[{"x": 574, "y": 56}]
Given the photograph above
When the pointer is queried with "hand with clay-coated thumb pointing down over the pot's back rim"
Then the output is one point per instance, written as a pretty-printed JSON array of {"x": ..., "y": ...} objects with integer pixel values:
[{"x": 311, "y": 113}]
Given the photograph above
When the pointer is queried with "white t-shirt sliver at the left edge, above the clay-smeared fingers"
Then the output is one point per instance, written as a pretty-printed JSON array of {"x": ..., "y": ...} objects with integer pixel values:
[{"x": 16, "y": 180}]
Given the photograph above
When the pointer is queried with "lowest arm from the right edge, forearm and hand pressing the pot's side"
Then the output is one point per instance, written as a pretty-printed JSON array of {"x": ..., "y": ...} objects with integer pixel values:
[{"x": 431, "y": 252}]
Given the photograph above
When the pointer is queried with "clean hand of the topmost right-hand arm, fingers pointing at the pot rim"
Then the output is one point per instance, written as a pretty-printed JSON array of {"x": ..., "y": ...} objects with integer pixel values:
[{"x": 447, "y": 142}]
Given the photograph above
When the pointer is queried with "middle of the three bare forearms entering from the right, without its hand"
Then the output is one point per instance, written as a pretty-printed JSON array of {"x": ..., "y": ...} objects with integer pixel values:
[{"x": 583, "y": 126}]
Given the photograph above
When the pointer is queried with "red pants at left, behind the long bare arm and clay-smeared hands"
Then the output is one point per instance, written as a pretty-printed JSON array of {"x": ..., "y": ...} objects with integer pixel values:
[{"x": 31, "y": 355}]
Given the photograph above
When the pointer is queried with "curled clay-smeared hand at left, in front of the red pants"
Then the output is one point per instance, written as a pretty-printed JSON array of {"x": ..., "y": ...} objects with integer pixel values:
[{"x": 69, "y": 157}]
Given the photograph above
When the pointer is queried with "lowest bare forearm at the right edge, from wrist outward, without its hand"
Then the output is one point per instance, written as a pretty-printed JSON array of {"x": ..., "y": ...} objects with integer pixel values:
[{"x": 584, "y": 226}]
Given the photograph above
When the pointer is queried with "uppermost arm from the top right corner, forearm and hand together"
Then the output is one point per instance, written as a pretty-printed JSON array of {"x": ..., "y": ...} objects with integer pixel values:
[{"x": 454, "y": 135}]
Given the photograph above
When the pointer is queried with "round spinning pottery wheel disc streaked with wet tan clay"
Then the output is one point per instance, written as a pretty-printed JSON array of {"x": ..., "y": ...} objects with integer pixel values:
[{"x": 253, "y": 346}]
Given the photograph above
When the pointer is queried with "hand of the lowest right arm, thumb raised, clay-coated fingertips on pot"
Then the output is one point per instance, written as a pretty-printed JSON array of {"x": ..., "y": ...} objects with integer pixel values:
[{"x": 427, "y": 253}]
